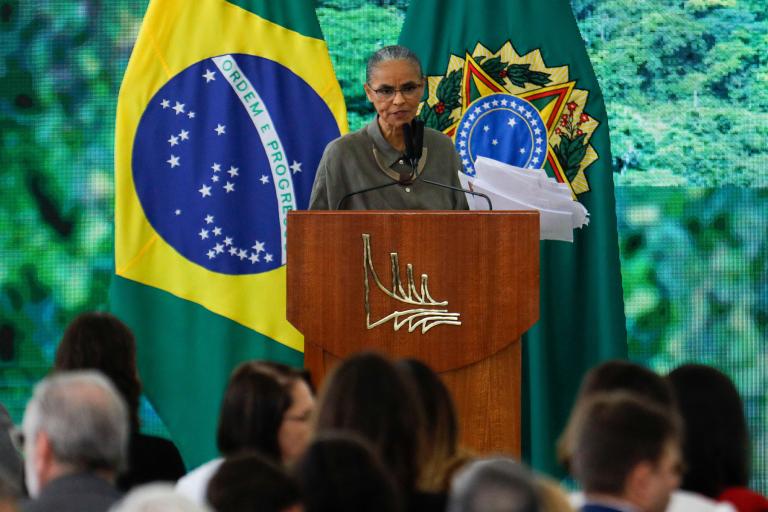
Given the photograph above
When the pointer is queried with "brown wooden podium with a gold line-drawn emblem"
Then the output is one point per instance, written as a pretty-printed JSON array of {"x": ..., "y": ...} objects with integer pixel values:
[{"x": 454, "y": 289}]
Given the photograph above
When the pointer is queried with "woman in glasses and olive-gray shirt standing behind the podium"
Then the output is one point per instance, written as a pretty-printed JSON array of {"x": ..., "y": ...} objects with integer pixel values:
[{"x": 388, "y": 164}]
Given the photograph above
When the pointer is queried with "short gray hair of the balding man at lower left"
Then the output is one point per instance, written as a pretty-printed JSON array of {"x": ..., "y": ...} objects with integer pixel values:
[{"x": 84, "y": 417}]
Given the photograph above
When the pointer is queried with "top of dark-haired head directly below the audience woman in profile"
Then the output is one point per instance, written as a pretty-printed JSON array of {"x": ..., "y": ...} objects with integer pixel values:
[{"x": 251, "y": 482}]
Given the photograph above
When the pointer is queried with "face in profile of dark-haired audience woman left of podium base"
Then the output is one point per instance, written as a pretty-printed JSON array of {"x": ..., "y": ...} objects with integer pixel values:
[{"x": 294, "y": 432}]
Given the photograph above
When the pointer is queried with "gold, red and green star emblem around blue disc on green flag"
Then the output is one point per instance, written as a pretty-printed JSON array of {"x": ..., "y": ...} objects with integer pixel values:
[{"x": 551, "y": 91}]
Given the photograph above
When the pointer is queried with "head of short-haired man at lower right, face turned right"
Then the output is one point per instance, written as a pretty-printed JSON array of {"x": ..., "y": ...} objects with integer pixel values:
[{"x": 626, "y": 448}]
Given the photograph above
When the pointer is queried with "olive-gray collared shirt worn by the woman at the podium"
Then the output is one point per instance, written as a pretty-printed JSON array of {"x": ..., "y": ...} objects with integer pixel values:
[{"x": 365, "y": 159}]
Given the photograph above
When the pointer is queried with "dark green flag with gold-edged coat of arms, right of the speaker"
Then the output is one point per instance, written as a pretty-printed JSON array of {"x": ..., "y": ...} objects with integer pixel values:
[{"x": 533, "y": 50}]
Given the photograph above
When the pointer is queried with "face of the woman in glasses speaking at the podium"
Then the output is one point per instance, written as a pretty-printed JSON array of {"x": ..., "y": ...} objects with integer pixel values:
[{"x": 395, "y": 90}]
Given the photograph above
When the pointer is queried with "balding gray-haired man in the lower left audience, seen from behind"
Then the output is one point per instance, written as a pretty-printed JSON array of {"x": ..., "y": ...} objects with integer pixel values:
[{"x": 75, "y": 440}]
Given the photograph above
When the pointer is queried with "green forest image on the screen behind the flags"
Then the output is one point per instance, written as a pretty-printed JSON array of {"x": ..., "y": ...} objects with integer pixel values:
[{"x": 686, "y": 89}]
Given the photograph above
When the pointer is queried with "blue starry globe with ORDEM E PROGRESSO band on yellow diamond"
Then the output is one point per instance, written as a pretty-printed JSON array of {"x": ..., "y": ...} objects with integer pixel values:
[{"x": 223, "y": 151}]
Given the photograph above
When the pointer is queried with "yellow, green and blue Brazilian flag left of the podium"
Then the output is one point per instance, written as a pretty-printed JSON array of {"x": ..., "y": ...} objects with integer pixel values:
[{"x": 223, "y": 115}]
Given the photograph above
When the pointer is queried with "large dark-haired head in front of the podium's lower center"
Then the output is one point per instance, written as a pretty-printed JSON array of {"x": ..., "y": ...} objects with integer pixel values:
[{"x": 367, "y": 395}]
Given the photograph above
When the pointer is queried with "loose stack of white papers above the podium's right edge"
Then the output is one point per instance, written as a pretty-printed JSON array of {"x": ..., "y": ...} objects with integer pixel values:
[{"x": 516, "y": 188}]
